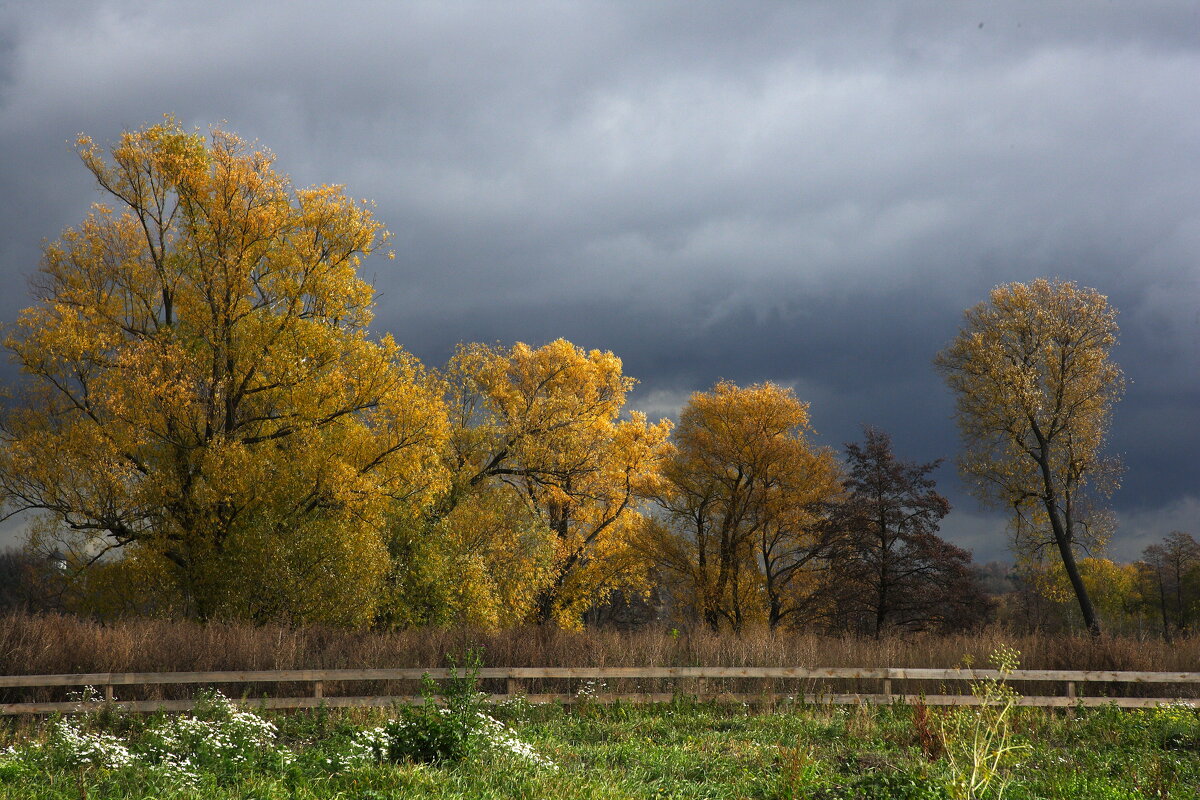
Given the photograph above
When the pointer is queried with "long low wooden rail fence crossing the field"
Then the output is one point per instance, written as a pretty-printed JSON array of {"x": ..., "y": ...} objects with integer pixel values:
[{"x": 571, "y": 684}]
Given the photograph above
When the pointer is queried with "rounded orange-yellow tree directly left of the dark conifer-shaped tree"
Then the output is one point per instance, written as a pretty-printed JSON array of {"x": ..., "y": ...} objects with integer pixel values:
[{"x": 741, "y": 507}]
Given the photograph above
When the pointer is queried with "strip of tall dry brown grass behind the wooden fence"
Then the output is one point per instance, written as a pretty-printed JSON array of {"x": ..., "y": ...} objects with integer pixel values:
[{"x": 53, "y": 645}]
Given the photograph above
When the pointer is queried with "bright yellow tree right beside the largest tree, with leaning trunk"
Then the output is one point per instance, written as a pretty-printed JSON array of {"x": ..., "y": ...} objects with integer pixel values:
[{"x": 548, "y": 478}]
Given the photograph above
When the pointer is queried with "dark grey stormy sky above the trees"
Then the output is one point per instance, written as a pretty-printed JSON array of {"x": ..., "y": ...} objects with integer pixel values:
[{"x": 809, "y": 194}]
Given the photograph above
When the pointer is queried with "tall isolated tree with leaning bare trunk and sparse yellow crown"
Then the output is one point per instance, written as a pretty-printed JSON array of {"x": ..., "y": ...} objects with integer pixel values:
[{"x": 1036, "y": 387}]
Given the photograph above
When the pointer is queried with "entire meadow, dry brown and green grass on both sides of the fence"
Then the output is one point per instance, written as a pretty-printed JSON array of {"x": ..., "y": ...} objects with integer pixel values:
[{"x": 467, "y": 748}]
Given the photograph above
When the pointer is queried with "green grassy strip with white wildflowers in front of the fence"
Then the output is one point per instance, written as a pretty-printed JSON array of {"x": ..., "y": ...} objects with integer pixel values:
[{"x": 593, "y": 751}]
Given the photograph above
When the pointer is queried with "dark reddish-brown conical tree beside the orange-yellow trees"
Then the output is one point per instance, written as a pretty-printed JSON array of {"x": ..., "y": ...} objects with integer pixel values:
[{"x": 890, "y": 568}]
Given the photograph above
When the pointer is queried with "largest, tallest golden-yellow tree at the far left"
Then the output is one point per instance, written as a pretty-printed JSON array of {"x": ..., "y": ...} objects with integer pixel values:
[{"x": 202, "y": 394}]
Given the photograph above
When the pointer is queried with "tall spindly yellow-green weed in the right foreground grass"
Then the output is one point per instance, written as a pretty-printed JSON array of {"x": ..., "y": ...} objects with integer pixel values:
[{"x": 979, "y": 742}]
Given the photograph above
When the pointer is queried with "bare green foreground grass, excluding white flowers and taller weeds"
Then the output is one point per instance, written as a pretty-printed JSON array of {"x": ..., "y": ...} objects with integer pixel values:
[{"x": 682, "y": 750}]
